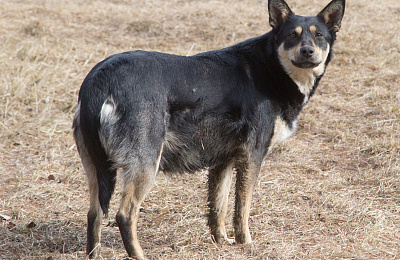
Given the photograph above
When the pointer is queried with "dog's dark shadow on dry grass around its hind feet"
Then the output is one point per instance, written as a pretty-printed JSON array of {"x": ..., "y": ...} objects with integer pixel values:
[{"x": 52, "y": 238}]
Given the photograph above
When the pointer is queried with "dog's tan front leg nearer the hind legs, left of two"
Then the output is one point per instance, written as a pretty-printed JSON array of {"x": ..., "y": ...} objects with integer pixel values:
[{"x": 219, "y": 184}]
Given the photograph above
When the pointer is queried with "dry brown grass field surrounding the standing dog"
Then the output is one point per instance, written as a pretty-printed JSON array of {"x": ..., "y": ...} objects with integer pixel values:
[{"x": 332, "y": 191}]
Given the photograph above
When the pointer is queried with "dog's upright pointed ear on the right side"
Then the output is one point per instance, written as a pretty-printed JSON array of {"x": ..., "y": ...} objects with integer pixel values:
[{"x": 332, "y": 14}]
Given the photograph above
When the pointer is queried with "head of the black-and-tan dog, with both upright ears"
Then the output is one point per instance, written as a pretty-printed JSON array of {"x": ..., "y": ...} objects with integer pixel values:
[{"x": 305, "y": 42}]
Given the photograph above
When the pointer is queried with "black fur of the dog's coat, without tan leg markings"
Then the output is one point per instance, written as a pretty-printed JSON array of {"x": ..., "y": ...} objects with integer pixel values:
[{"x": 202, "y": 111}]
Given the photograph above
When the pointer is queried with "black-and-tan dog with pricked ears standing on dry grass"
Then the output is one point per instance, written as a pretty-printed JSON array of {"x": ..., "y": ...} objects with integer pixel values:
[{"x": 223, "y": 110}]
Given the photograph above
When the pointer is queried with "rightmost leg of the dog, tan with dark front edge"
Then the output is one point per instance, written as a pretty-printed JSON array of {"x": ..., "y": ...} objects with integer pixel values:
[{"x": 247, "y": 173}]
